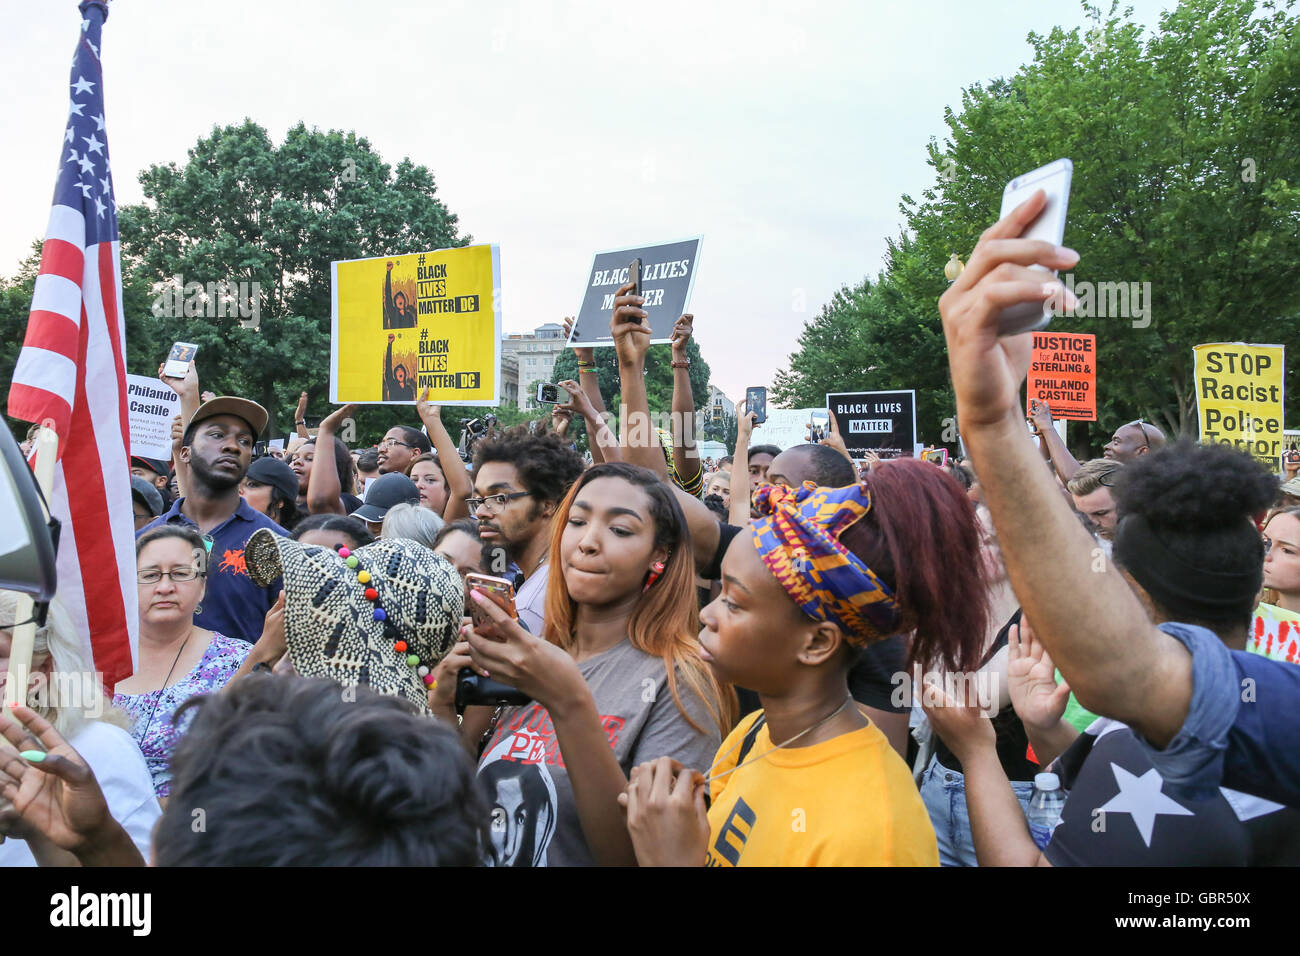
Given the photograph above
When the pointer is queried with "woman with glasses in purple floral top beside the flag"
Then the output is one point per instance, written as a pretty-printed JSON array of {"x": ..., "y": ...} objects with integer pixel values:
[{"x": 177, "y": 659}]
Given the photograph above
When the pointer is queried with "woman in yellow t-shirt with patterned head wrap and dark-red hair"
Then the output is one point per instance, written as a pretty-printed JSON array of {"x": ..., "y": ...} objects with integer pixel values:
[{"x": 809, "y": 780}]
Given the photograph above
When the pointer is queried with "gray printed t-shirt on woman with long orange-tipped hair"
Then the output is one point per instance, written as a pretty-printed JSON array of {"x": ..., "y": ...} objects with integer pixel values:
[{"x": 535, "y": 820}]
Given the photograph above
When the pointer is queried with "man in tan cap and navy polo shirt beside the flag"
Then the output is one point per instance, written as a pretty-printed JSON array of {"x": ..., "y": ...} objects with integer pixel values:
[{"x": 218, "y": 449}]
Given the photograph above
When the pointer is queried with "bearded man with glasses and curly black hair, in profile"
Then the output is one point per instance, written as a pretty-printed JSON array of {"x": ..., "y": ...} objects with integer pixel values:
[{"x": 519, "y": 483}]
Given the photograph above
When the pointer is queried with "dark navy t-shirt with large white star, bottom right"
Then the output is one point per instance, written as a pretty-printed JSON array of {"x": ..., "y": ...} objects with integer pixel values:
[{"x": 1117, "y": 815}]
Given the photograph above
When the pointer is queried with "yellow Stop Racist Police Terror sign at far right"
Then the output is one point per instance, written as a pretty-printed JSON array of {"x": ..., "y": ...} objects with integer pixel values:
[{"x": 1240, "y": 397}]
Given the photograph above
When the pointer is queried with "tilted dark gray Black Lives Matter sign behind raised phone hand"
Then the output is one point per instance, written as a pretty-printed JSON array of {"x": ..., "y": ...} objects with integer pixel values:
[{"x": 668, "y": 278}]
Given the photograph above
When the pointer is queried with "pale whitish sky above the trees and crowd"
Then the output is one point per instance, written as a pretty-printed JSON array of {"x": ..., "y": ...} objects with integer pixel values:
[{"x": 785, "y": 133}]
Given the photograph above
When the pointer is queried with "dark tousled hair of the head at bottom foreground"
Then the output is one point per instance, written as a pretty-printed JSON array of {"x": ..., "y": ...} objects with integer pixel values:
[{"x": 289, "y": 772}]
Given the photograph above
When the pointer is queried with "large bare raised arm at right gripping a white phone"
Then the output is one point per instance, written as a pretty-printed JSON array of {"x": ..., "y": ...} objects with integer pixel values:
[{"x": 1119, "y": 664}]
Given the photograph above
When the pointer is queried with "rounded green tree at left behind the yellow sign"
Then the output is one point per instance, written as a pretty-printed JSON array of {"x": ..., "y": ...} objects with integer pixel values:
[{"x": 242, "y": 209}]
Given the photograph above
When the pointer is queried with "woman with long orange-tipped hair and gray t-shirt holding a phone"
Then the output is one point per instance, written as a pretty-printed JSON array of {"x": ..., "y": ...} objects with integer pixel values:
[{"x": 616, "y": 680}]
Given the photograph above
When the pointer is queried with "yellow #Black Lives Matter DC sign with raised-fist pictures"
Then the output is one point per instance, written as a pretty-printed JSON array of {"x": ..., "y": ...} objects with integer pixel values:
[{"x": 422, "y": 321}]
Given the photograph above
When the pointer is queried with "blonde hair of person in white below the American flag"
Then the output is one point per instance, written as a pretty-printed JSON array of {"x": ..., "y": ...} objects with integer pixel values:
[{"x": 75, "y": 693}]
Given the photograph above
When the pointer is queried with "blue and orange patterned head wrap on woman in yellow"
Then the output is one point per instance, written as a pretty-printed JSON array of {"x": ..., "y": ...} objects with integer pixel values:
[{"x": 798, "y": 538}]
